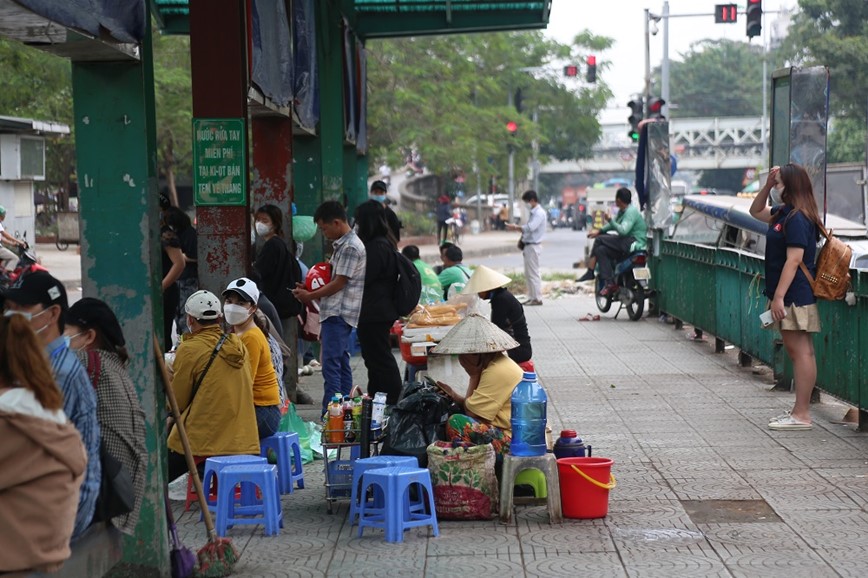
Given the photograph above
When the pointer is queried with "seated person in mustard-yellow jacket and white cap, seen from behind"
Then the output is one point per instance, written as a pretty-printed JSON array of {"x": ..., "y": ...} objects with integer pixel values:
[{"x": 214, "y": 387}]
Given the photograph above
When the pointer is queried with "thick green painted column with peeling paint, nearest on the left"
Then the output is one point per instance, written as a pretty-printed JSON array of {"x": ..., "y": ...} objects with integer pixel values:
[{"x": 120, "y": 253}]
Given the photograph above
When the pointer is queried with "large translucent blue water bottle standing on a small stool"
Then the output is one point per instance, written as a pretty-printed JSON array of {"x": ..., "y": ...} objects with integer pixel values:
[{"x": 528, "y": 417}]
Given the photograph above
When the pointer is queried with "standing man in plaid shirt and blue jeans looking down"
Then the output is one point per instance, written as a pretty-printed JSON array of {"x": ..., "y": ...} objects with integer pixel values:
[{"x": 340, "y": 298}]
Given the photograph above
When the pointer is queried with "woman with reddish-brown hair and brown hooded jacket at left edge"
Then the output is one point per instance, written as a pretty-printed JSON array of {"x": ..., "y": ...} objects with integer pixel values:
[{"x": 42, "y": 455}]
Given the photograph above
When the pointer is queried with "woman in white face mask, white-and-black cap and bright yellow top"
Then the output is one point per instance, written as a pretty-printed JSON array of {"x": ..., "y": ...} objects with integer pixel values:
[{"x": 239, "y": 308}]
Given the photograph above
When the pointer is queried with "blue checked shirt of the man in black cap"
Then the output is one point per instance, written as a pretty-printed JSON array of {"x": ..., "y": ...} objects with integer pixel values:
[{"x": 79, "y": 405}]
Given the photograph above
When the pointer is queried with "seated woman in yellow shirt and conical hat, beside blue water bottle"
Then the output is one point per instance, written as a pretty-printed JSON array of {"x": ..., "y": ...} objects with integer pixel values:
[{"x": 480, "y": 347}]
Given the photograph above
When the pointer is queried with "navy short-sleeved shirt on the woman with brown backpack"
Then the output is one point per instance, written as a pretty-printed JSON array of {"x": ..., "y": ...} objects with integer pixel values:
[{"x": 797, "y": 231}]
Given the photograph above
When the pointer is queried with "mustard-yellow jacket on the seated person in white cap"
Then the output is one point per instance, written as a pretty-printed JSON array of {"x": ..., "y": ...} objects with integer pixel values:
[{"x": 221, "y": 419}]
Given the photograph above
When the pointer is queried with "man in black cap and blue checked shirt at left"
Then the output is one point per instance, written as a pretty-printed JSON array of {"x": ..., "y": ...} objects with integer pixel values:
[{"x": 42, "y": 299}]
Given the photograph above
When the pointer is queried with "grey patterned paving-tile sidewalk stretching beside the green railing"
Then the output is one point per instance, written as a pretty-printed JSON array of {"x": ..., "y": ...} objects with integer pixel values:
[{"x": 704, "y": 488}]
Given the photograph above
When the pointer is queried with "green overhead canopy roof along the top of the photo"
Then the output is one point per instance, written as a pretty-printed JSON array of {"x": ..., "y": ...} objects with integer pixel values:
[{"x": 393, "y": 18}]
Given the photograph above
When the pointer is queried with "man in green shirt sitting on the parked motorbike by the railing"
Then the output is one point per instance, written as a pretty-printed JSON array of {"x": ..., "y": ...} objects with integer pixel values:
[{"x": 630, "y": 229}]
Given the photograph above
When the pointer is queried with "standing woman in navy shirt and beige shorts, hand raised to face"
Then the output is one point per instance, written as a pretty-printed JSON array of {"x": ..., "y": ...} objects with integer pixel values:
[{"x": 791, "y": 240}]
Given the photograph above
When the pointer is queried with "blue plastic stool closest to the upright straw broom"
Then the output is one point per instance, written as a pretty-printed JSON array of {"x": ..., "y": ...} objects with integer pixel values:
[{"x": 262, "y": 475}]
